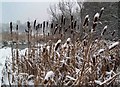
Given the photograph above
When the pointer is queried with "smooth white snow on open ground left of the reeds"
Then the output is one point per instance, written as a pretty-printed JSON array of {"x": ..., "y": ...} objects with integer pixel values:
[{"x": 4, "y": 53}]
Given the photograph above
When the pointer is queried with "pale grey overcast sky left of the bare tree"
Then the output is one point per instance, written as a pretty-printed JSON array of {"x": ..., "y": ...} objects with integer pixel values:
[{"x": 23, "y": 11}]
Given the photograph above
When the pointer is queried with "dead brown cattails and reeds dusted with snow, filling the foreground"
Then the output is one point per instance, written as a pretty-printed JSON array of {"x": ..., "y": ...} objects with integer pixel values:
[{"x": 88, "y": 62}]
